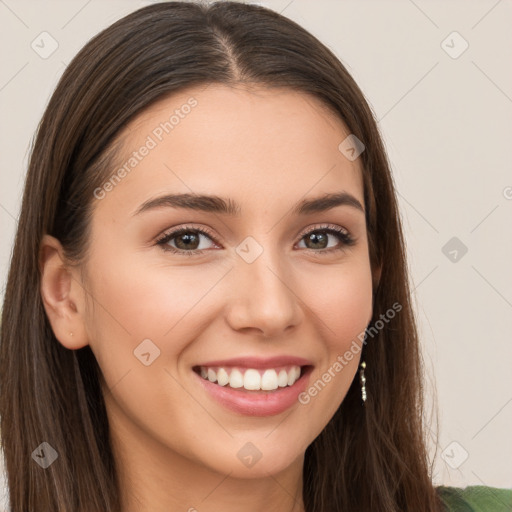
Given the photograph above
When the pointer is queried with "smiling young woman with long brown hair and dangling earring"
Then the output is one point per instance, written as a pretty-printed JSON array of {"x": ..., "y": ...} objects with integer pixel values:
[{"x": 207, "y": 307}]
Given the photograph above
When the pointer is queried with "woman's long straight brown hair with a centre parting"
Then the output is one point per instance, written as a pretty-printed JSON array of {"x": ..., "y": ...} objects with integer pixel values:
[{"x": 368, "y": 458}]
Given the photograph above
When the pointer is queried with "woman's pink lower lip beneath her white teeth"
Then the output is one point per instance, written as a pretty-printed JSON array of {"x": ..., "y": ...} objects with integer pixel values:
[{"x": 257, "y": 403}]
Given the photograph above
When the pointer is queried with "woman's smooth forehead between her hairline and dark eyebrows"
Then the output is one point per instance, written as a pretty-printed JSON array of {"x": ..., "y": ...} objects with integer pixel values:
[{"x": 245, "y": 143}]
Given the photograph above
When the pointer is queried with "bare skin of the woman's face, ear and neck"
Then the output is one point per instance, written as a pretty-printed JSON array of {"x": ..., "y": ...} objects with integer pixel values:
[{"x": 267, "y": 150}]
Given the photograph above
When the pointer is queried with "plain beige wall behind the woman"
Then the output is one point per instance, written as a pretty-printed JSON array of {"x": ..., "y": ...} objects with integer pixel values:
[{"x": 445, "y": 111}]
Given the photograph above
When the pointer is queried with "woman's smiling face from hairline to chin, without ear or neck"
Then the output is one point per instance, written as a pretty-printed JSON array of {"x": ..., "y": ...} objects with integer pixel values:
[{"x": 263, "y": 281}]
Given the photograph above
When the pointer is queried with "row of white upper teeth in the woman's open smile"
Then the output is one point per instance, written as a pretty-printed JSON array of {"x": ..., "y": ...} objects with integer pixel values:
[{"x": 252, "y": 379}]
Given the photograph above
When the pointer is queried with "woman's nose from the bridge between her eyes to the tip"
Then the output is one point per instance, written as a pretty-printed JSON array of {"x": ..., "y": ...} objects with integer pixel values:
[{"x": 263, "y": 297}]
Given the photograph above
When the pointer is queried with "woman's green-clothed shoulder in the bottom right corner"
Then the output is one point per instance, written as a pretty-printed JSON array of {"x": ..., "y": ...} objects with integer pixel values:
[{"x": 476, "y": 498}]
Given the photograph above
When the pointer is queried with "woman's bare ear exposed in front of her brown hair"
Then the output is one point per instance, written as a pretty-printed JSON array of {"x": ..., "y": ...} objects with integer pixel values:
[{"x": 62, "y": 295}]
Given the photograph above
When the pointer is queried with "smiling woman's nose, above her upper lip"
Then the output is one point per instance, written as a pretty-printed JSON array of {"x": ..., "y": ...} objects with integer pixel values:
[{"x": 262, "y": 297}]
